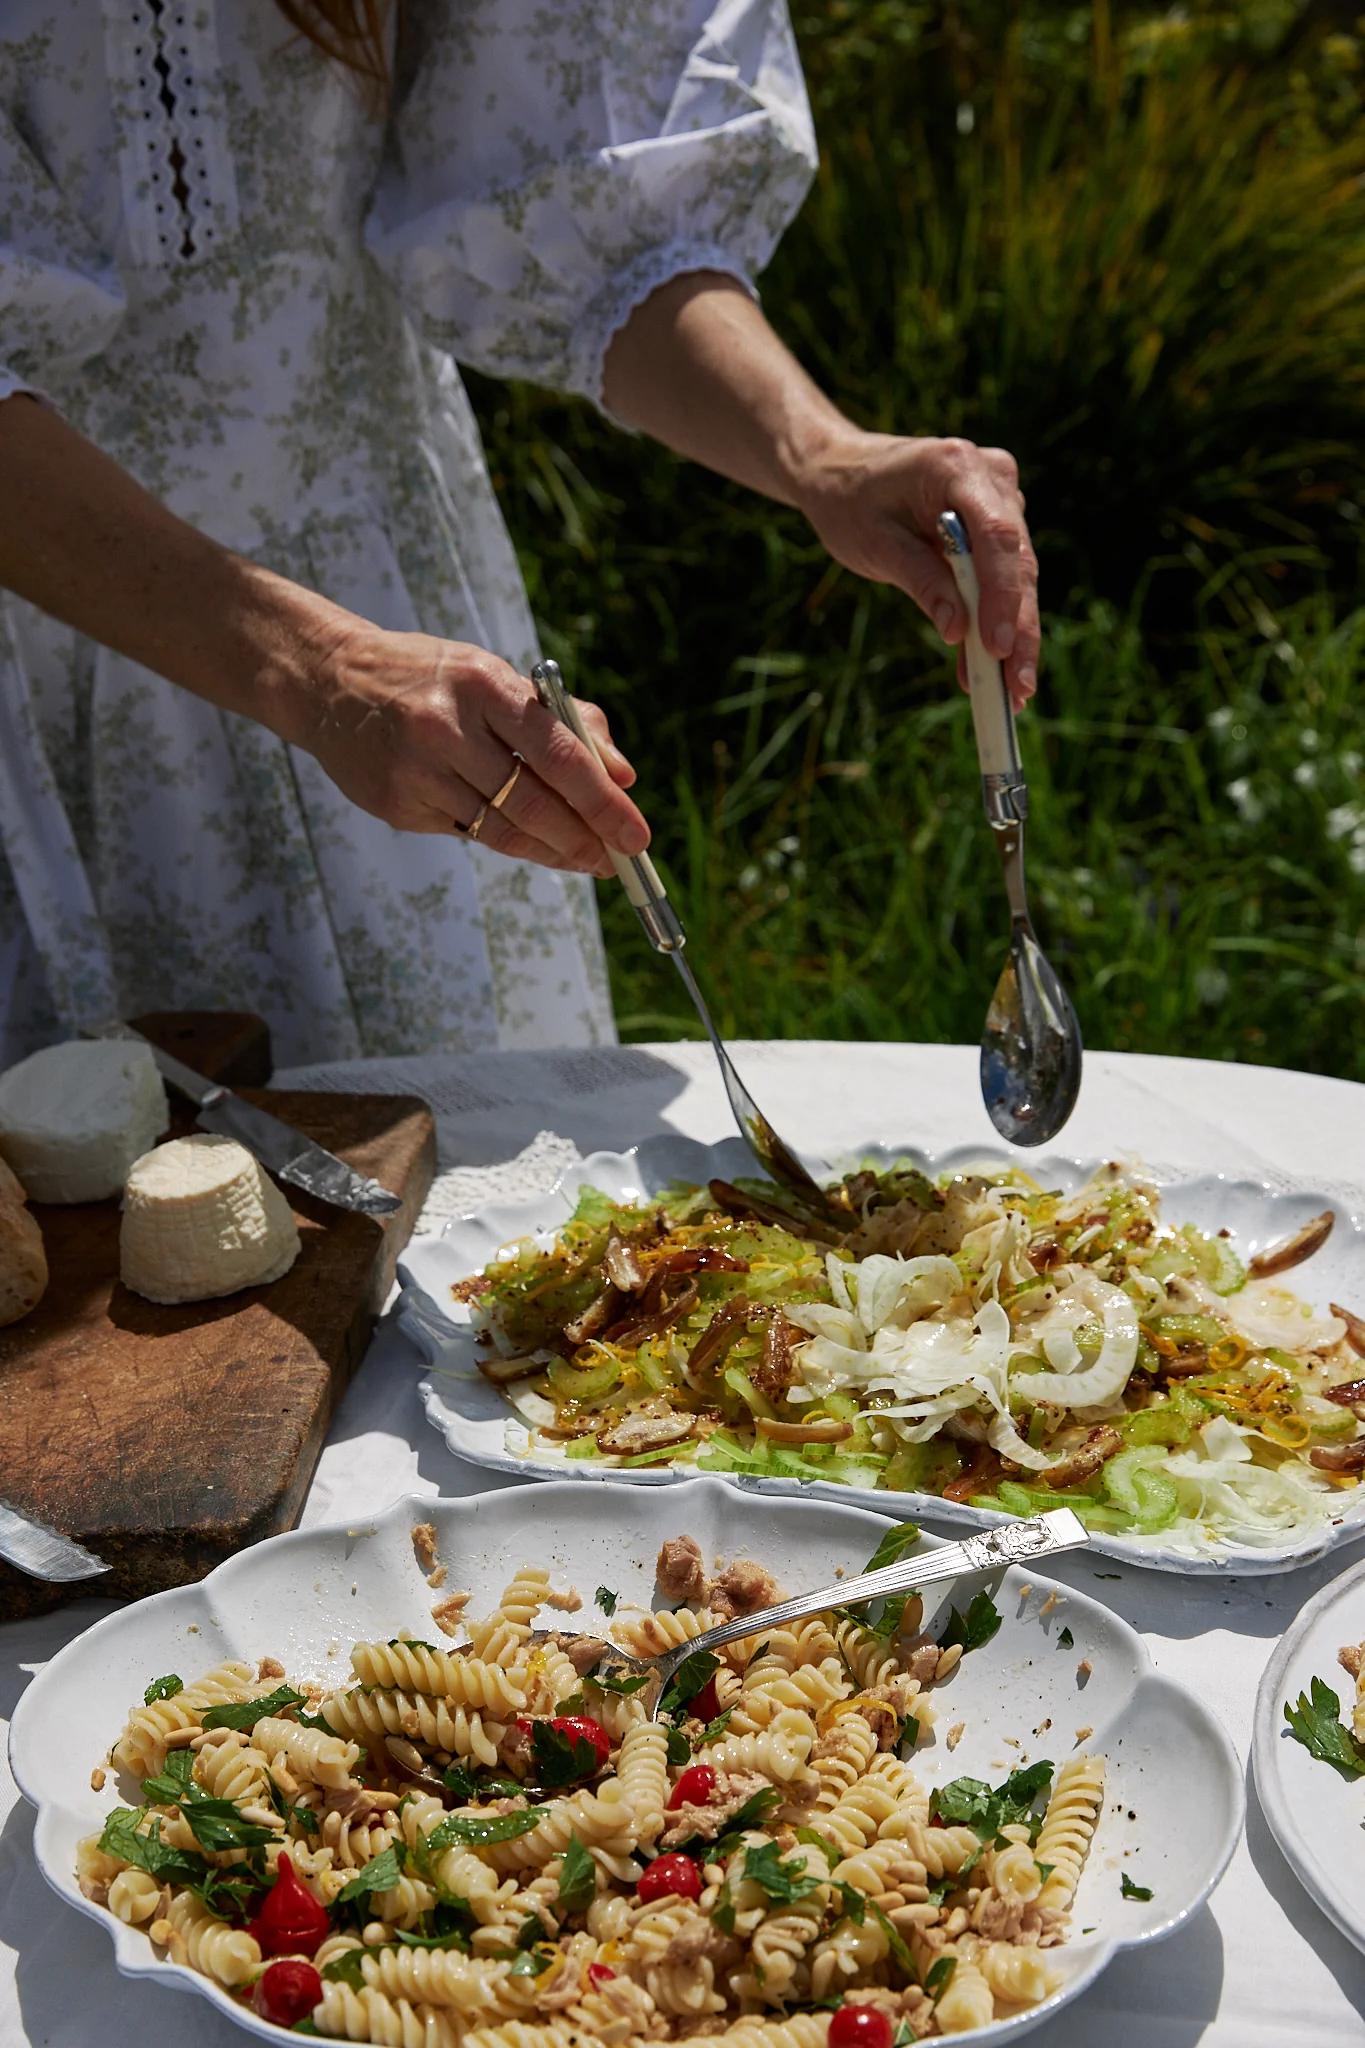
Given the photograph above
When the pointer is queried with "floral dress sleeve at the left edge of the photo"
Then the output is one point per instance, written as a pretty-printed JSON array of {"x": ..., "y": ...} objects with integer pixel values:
[{"x": 60, "y": 300}]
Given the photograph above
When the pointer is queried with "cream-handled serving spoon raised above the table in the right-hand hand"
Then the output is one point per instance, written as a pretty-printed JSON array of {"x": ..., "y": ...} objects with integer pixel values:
[{"x": 1030, "y": 1050}]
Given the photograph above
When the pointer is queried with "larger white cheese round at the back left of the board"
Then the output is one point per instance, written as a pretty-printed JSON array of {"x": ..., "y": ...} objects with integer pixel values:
[{"x": 75, "y": 1117}]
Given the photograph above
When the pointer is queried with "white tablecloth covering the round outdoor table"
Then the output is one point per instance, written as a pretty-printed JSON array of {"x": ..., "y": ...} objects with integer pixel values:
[{"x": 1260, "y": 1967}]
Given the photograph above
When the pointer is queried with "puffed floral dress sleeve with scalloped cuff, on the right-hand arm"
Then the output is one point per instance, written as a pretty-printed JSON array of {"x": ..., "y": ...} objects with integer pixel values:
[{"x": 552, "y": 167}]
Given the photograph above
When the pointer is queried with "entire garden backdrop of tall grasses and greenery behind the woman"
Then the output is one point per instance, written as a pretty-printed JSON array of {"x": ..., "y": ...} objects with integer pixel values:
[{"x": 1133, "y": 249}]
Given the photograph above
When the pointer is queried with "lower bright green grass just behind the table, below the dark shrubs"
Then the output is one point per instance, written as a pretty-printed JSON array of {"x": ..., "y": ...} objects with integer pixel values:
[{"x": 1198, "y": 876}]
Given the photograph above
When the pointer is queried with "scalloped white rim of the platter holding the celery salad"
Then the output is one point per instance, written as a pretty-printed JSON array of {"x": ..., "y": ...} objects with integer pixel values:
[{"x": 1233, "y": 1564}]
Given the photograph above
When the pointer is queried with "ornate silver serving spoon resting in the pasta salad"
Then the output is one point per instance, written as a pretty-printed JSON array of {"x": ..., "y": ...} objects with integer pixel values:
[{"x": 994, "y": 1549}]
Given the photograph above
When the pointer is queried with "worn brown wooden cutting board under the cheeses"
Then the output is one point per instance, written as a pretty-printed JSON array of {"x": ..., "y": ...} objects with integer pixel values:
[{"x": 167, "y": 1439}]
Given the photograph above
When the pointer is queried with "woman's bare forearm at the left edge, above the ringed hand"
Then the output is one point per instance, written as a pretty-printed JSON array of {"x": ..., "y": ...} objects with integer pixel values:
[{"x": 81, "y": 540}]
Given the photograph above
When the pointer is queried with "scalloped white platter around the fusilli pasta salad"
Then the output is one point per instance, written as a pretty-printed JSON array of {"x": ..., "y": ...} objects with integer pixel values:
[{"x": 1174, "y": 1799}]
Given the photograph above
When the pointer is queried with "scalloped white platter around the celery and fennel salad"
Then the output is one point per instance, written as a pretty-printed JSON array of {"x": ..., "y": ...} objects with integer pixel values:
[{"x": 482, "y": 1428}]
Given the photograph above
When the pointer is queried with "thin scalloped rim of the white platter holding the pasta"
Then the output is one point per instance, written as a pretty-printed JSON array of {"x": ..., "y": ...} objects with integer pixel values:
[{"x": 136, "y": 1959}]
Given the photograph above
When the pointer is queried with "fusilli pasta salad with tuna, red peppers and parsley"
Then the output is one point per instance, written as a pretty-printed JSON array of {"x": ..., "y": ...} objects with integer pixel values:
[{"x": 492, "y": 1846}]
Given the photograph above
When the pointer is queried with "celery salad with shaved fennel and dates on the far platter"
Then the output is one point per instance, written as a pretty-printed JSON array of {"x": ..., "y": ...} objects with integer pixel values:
[{"x": 981, "y": 1338}]
